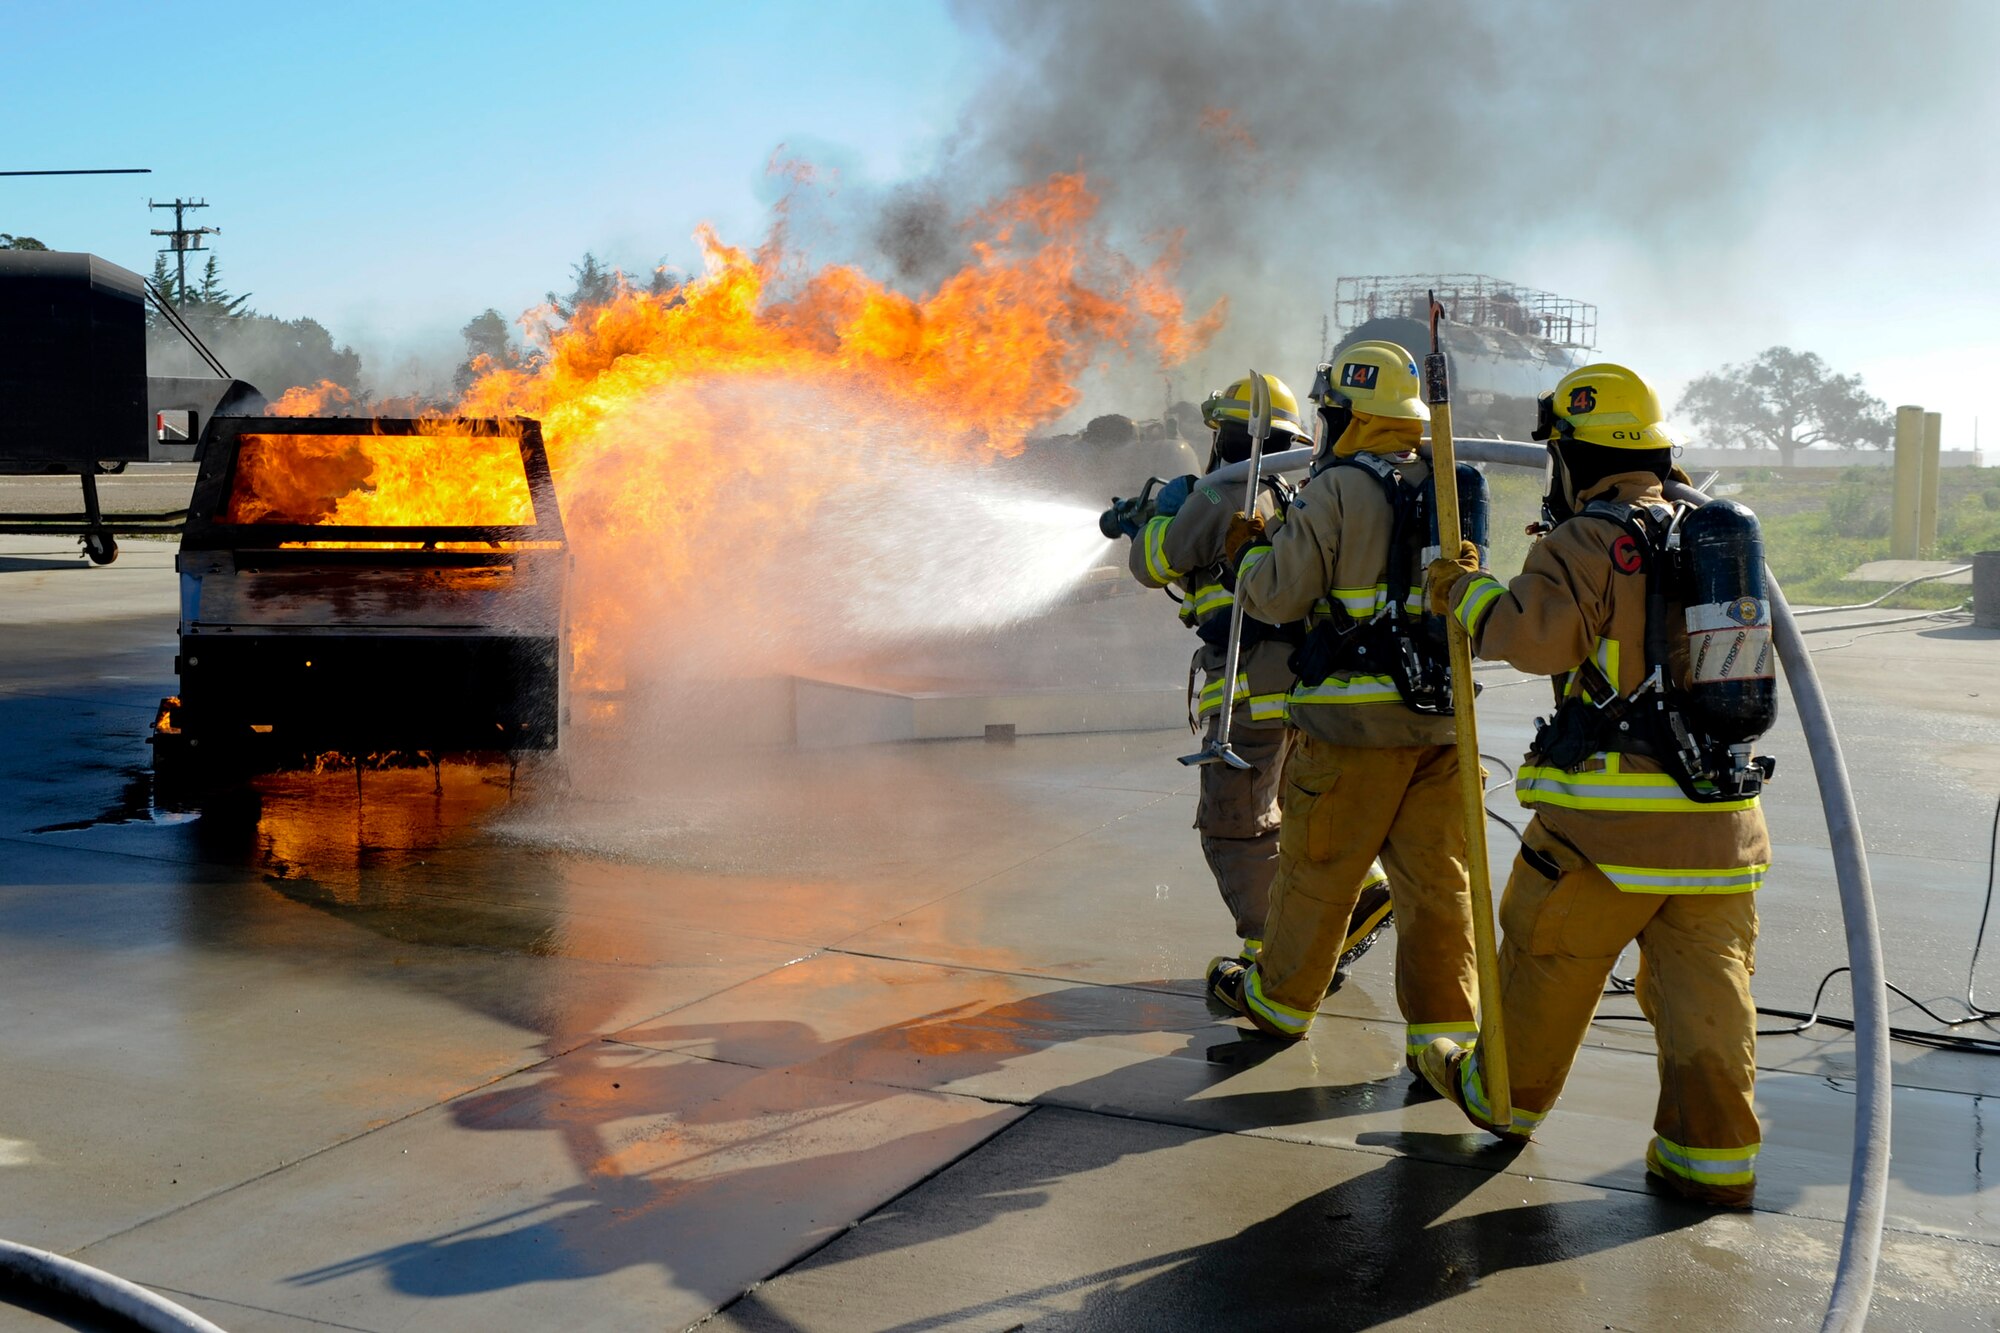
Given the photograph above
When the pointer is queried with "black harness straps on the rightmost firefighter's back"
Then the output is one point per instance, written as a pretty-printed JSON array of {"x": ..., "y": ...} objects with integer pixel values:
[{"x": 1659, "y": 720}]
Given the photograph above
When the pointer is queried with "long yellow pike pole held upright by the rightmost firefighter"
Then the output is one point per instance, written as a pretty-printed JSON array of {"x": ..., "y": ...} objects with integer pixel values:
[{"x": 1471, "y": 792}]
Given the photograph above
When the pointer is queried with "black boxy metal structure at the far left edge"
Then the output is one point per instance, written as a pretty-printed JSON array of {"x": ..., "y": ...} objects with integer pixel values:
[{"x": 73, "y": 381}]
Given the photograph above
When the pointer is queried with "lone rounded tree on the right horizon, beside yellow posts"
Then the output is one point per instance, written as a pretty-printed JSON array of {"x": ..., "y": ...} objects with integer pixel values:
[{"x": 1787, "y": 401}]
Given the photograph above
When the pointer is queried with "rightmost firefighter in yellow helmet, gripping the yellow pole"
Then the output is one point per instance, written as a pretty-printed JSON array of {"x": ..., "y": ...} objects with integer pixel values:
[{"x": 1637, "y": 834}]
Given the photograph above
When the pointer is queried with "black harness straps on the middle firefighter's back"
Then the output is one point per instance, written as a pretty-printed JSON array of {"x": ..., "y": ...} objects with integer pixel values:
[{"x": 1403, "y": 643}]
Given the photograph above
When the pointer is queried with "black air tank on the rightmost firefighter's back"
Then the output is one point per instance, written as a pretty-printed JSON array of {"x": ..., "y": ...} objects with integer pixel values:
[{"x": 1733, "y": 674}]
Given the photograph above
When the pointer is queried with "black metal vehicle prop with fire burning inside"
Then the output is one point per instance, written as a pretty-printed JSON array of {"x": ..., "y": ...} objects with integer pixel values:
[{"x": 337, "y": 601}]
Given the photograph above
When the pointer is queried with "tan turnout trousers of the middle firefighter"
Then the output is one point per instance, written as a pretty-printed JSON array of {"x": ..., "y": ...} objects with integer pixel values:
[{"x": 1343, "y": 808}]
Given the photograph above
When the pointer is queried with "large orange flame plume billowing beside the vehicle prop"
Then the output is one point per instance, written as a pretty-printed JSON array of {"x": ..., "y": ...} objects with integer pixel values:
[{"x": 697, "y": 435}]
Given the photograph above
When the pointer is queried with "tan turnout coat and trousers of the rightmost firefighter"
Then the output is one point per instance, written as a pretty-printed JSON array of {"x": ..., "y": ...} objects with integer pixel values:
[{"x": 1619, "y": 854}]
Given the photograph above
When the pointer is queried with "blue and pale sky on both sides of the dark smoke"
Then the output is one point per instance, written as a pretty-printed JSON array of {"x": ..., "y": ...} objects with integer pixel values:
[{"x": 395, "y": 169}]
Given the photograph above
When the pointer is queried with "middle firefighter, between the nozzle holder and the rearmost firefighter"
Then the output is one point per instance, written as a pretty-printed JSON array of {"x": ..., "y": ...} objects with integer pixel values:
[{"x": 1373, "y": 768}]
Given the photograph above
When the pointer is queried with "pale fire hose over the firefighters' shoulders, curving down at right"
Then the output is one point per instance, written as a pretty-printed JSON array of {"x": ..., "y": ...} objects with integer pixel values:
[{"x": 1861, "y": 1240}]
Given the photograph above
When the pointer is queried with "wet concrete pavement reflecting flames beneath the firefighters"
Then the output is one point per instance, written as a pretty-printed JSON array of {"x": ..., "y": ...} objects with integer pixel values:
[{"x": 871, "y": 1038}]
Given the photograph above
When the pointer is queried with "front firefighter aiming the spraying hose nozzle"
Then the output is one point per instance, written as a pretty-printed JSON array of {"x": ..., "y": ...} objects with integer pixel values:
[{"x": 1181, "y": 547}]
